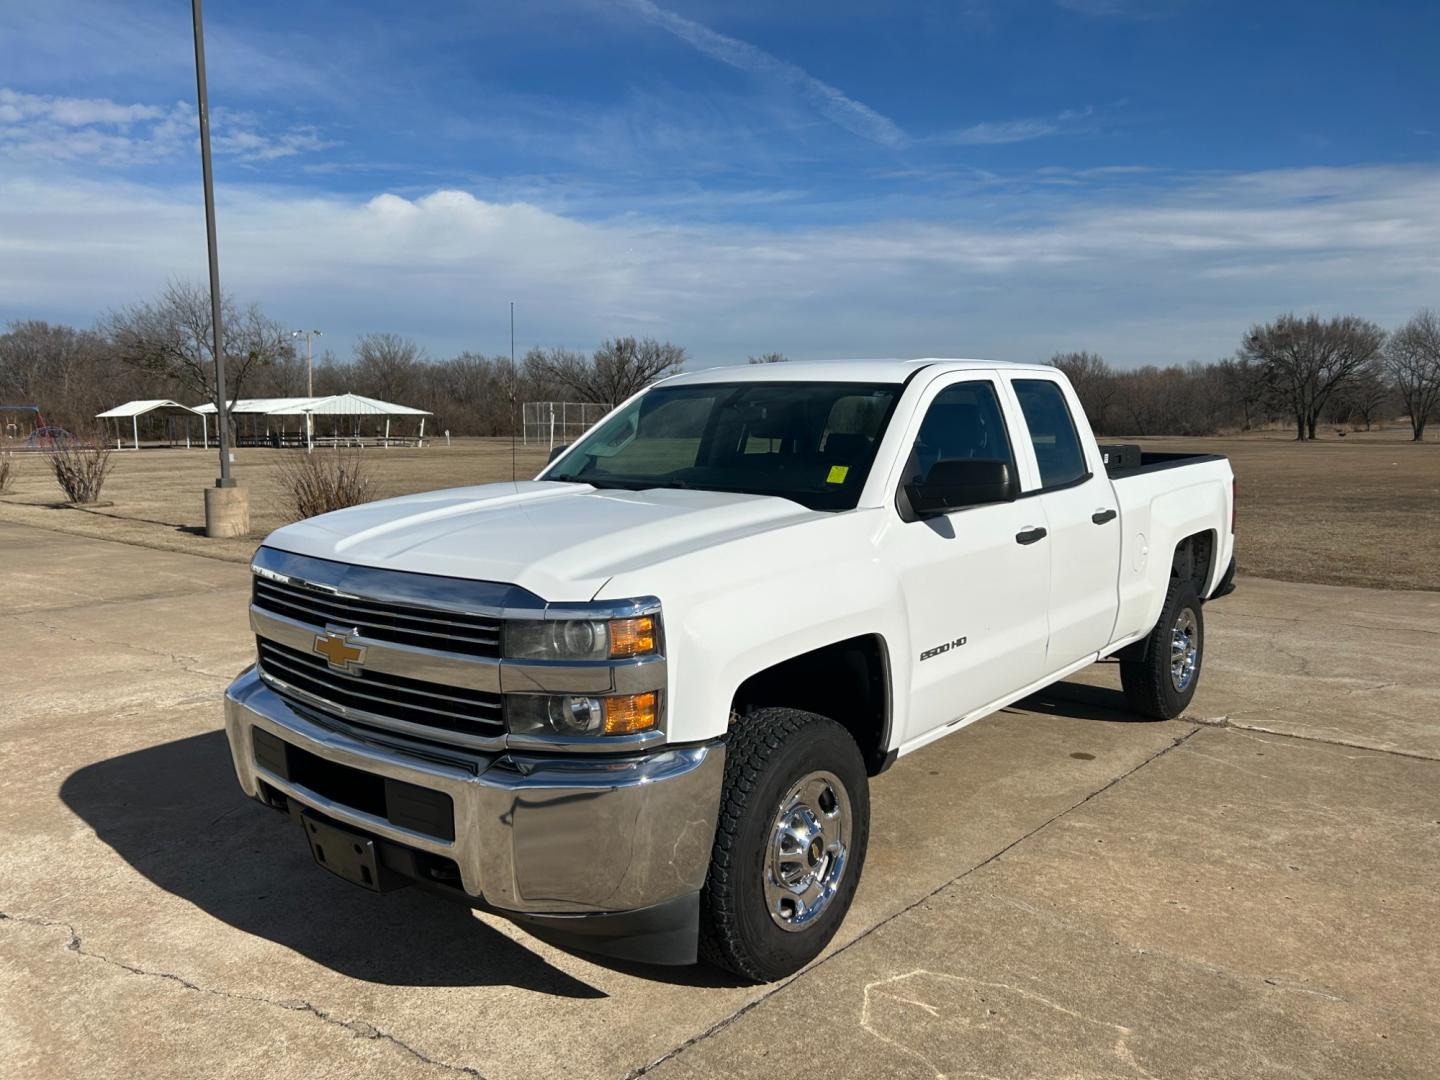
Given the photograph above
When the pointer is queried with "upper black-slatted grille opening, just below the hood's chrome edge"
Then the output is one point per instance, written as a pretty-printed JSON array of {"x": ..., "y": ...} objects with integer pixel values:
[{"x": 433, "y": 629}]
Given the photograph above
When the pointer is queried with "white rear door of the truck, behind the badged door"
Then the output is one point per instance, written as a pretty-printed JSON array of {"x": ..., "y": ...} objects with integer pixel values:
[{"x": 1084, "y": 521}]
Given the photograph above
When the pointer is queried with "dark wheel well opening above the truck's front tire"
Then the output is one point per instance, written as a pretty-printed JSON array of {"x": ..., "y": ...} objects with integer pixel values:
[{"x": 847, "y": 682}]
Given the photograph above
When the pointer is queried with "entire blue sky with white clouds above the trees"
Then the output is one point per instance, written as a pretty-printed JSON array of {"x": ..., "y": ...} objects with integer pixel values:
[{"x": 1140, "y": 178}]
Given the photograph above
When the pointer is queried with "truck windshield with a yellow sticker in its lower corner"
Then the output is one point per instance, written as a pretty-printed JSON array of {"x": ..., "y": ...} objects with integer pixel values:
[{"x": 811, "y": 443}]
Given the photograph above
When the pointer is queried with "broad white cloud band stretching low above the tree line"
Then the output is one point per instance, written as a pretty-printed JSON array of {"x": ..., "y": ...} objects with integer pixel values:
[{"x": 1170, "y": 274}]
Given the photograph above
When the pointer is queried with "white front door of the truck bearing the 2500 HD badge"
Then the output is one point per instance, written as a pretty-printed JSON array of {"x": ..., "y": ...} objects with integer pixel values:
[{"x": 976, "y": 594}]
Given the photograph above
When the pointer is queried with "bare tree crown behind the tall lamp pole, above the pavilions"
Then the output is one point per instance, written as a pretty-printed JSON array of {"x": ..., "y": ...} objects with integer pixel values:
[{"x": 172, "y": 339}]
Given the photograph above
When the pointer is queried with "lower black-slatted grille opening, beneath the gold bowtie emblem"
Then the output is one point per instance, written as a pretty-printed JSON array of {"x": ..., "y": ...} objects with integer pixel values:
[{"x": 394, "y": 703}]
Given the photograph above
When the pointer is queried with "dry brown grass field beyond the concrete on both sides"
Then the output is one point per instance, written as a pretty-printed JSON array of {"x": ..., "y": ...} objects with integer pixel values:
[{"x": 1357, "y": 510}]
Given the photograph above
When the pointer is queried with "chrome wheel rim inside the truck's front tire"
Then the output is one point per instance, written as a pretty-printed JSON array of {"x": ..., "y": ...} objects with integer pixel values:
[{"x": 810, "y": 845}]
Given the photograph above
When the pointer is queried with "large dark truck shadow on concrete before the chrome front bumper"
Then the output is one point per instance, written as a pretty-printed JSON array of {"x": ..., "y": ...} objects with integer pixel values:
[{"x": 176, "y": 814}]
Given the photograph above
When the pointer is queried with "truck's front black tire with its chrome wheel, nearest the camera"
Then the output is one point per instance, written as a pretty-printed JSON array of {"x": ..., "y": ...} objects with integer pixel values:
[{"x": 790, "y": 843}]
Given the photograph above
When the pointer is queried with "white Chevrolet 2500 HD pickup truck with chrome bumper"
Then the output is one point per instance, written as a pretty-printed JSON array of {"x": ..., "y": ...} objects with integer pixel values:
[{"x": 634, "y": 705}]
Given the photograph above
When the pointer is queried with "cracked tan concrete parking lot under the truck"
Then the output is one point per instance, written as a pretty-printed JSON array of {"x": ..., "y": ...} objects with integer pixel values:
[{"x": 1061, "y": 891}]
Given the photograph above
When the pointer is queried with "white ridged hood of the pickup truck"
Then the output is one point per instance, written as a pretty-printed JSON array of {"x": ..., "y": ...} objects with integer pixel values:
[{"x": 561, "y": 542}]
